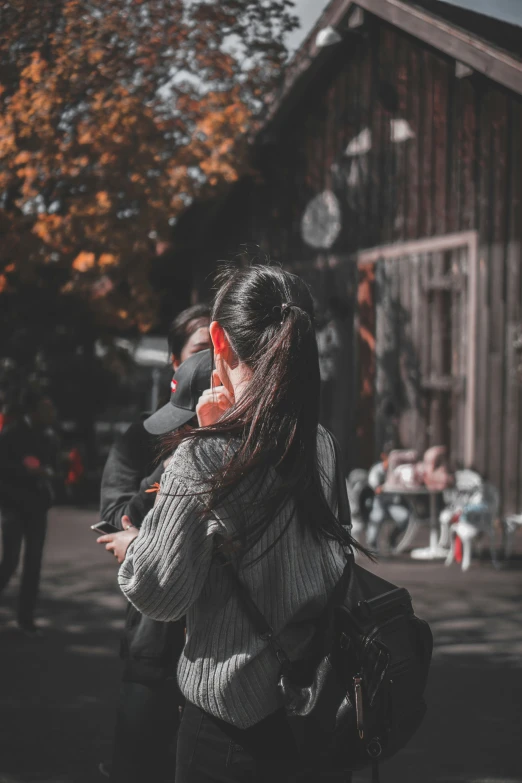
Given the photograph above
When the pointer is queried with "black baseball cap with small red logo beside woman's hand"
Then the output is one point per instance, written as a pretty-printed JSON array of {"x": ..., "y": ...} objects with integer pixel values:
[{"x": 188, "y": 384}]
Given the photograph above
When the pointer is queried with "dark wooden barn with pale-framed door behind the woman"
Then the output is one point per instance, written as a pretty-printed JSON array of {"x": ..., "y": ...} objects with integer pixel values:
[{"x": 389, "y": 174}]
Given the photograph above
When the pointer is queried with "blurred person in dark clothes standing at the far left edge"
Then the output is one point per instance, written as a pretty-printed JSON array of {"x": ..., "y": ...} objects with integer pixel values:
[{"x": 28, "y": 465}]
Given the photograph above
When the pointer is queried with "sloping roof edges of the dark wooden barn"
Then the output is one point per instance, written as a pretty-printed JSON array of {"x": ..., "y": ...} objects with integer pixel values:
[{"x": 459, "y": 33}]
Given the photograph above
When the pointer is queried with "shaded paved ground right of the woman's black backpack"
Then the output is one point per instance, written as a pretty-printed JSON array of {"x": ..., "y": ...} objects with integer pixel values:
[{"x": 471, "y": 733}]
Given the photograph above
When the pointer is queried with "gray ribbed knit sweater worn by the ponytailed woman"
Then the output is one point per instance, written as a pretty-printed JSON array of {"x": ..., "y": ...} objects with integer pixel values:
[{"x": 225, "y": 668}]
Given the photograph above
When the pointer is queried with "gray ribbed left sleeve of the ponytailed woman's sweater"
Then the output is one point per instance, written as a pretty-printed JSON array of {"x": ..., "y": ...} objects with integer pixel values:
[{"x": 168, "y": 563}]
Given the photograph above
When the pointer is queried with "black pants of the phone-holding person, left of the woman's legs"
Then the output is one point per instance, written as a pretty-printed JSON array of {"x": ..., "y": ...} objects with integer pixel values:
[{"x": 146, "y": 728}]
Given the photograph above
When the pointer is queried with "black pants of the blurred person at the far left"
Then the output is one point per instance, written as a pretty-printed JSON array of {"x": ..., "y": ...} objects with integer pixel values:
[{"x": 30, "y": 528}]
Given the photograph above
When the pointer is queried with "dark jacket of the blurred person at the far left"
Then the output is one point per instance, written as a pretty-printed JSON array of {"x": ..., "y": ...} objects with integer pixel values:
[{"x": 22, "y": 489}]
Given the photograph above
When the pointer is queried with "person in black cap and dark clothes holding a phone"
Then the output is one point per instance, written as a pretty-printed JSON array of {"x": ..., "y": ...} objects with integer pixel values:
[{"x": 148, "y": 711}]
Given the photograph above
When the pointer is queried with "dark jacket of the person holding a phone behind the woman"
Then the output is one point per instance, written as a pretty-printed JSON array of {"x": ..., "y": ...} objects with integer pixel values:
[{"x": 149, "y": 648}]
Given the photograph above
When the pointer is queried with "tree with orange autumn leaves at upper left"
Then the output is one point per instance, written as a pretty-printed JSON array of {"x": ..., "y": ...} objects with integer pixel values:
[{"x": 114, "y": 116}]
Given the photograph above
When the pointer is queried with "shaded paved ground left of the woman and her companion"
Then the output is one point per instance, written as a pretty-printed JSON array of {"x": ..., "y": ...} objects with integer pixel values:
[{"x": 58, "y": 693}]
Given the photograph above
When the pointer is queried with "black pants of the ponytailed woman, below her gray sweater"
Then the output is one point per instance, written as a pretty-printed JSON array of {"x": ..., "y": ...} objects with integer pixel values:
[{"x": 210, "y": 751}]
